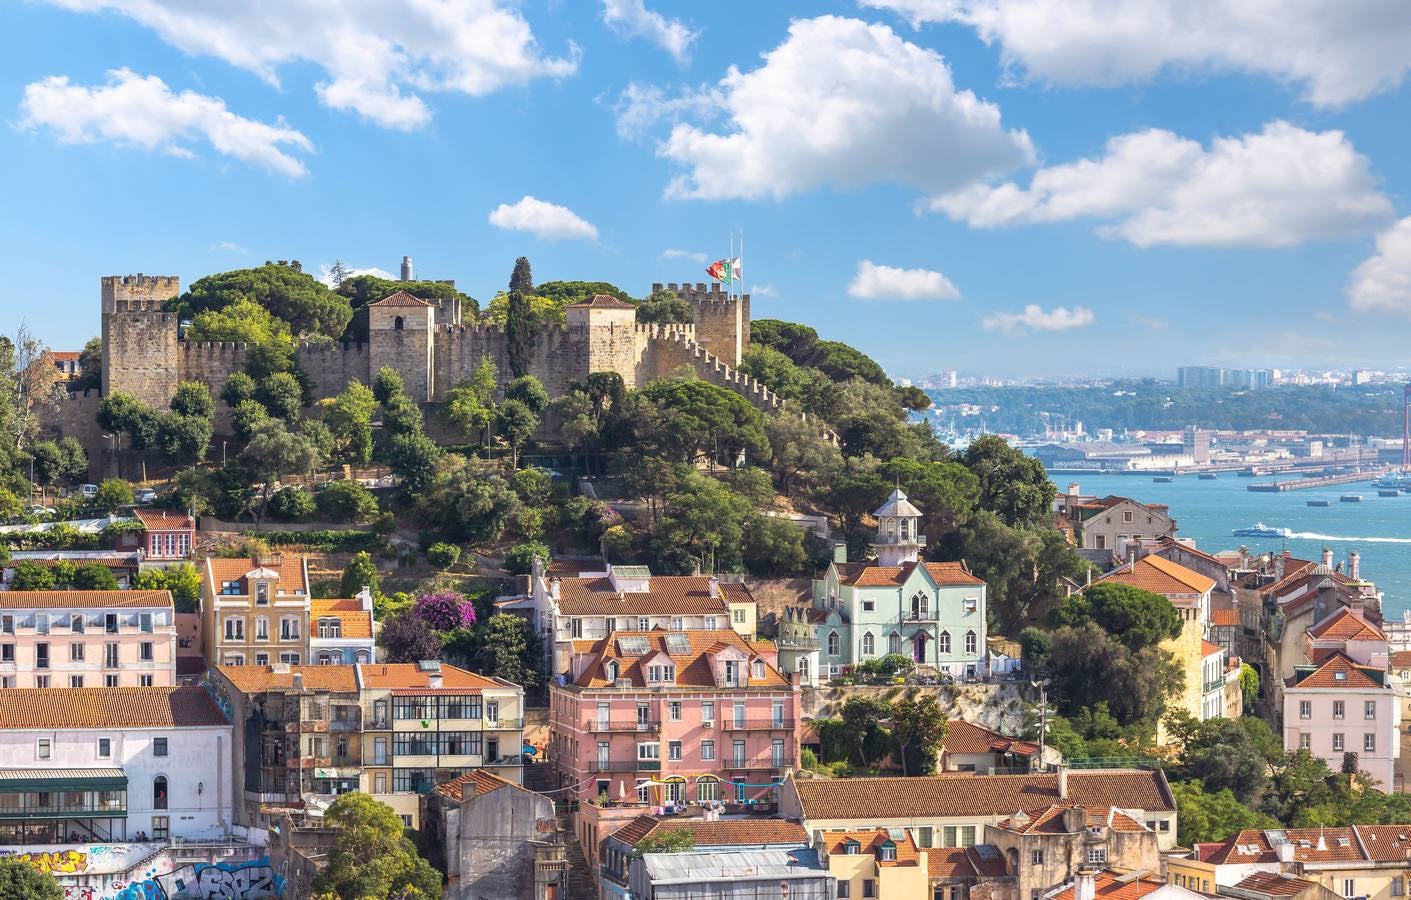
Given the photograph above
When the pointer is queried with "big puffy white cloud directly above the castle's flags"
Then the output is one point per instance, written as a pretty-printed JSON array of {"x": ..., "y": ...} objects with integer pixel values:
[{"x": 843, "y": 104}]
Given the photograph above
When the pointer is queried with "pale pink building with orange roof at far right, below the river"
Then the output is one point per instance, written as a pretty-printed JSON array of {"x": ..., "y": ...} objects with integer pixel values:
[{"x": 1340, "y": 710}]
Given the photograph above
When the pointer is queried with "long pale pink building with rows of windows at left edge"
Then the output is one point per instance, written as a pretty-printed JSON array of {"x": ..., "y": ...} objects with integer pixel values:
[{"x": 88, "y": 640}]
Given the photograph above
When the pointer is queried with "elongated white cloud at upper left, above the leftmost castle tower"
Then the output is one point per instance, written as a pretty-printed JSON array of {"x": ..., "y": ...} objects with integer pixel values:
[{"x": 143, "y": 112}]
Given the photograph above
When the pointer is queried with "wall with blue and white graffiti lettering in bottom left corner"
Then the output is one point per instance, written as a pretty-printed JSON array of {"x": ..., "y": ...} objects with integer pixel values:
[{"x": 249, "y": 880}]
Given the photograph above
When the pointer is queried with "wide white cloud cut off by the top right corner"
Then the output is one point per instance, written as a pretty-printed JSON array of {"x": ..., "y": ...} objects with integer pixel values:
[{"x": 1337, "y": 53}]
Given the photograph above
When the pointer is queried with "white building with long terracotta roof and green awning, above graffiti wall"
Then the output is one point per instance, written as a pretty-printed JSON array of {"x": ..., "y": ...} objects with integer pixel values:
[{"x": 112, "y": 765}]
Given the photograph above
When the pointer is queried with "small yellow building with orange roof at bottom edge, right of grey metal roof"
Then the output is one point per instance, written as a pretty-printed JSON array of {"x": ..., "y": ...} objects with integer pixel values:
[{"x": 877, "y": 863}]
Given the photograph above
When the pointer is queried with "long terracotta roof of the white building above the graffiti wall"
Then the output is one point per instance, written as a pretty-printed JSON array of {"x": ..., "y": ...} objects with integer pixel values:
[{"x": 108, "y": 707}]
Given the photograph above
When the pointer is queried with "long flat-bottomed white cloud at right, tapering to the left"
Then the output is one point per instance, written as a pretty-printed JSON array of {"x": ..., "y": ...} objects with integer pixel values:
[{"x": 1279, "y": 188}]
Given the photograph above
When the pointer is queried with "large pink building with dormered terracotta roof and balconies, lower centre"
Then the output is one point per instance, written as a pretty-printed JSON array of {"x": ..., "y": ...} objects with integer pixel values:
[{"x": 671, "y": 717}]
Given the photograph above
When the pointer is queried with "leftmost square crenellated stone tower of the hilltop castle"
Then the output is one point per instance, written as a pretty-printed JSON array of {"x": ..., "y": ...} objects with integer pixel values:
[{"x": 140, "y": 351}]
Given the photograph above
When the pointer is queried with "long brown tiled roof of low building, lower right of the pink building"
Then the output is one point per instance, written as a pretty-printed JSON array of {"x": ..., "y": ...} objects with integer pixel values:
[{"x": 969, "y": 795}]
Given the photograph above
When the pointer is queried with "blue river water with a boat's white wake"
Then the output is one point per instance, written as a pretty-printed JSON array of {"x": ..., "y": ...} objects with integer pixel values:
[{"x": 1379, "y": 528}]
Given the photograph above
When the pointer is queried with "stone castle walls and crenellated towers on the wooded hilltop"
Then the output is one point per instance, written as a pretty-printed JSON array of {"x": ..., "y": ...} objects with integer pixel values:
[{"x": 430, "y": 345}]
